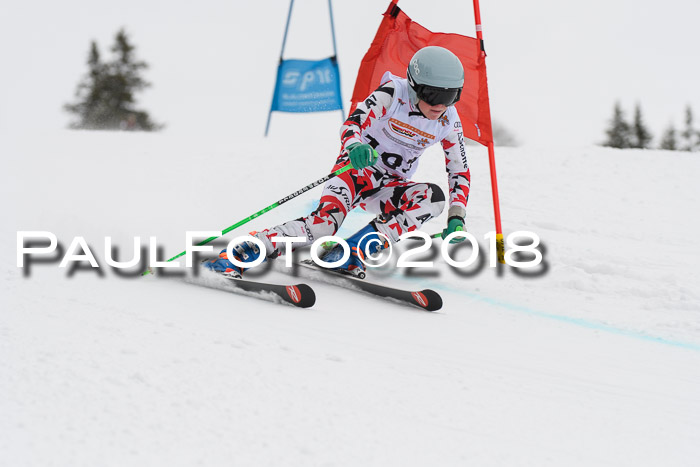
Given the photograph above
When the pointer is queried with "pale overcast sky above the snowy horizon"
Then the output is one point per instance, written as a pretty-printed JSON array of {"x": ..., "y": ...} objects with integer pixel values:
[{"x": 555, "y": 68}]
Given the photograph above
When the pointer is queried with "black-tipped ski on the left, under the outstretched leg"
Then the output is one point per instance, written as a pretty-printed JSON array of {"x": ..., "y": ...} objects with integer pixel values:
[{"x": 299, "y": 295}]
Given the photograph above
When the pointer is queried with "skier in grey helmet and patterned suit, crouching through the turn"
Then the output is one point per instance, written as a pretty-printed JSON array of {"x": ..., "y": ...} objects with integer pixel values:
[{"x": 383, "y": 140}]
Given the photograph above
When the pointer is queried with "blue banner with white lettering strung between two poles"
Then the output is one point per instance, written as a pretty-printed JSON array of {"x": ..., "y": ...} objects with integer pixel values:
[{"x": 307, "y": 86}]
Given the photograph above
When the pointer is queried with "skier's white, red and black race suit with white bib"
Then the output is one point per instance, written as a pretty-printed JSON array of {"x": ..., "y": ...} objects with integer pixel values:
[{"x": 400, "y": 133}]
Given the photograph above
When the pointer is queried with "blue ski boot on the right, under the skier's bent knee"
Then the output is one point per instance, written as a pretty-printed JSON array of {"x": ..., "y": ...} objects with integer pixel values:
[{"x": 363, "y": 243}]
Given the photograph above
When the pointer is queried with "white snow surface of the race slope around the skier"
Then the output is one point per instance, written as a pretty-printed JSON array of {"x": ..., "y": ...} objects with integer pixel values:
[{"x": 595, "y": 360}]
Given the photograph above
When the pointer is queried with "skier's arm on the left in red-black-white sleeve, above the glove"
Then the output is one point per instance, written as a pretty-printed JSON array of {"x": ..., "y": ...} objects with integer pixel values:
[{"x": 367, "y": 112}]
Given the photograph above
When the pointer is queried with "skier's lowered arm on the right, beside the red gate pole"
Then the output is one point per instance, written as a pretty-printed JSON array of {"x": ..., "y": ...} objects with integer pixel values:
[{"x": 458, "y": 176}]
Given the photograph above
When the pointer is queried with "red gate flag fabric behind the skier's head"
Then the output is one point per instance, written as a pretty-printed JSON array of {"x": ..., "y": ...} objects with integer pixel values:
[{"x": 398, "y": 38}]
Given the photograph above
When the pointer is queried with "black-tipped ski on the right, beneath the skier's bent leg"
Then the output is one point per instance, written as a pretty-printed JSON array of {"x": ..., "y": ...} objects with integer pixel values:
[{"x": 426, "y": 299}]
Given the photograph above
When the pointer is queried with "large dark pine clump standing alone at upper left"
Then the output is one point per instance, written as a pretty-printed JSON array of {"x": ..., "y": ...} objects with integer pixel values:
[{"x": 105, "y": 96}]
